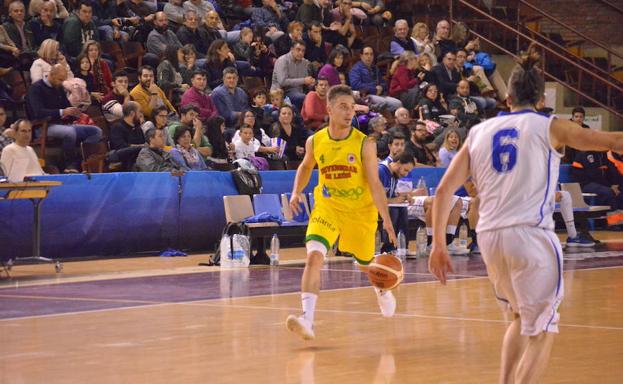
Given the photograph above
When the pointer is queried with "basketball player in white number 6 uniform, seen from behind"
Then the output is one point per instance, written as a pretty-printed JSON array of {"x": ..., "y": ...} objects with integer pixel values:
[{"x": 513, "y": 160}]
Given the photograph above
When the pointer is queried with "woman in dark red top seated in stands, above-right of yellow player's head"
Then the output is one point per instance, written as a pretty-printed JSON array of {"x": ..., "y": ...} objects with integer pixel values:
[{"x": 404, "y": 84}]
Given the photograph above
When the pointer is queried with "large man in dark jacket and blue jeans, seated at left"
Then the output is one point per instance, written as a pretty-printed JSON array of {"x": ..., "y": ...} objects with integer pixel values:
[{"x": 47, "y": 99}]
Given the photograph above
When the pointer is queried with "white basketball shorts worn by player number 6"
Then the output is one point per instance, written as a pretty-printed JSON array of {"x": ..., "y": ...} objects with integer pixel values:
[{"x": 525, "y": 266}]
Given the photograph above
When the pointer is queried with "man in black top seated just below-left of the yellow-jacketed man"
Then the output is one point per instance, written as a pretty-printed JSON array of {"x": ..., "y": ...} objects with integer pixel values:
[{"x": 126, "y": 136}]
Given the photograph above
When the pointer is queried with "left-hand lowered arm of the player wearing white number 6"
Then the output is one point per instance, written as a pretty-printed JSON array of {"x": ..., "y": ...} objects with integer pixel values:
[{"x": 439, "y": 262}]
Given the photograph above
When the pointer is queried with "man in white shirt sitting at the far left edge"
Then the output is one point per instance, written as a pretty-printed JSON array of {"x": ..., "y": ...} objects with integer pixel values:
[{"x": 19, "y": 159}]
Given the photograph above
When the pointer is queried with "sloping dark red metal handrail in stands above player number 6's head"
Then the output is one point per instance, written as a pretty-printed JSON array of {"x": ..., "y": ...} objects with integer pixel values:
[{"x": 548, "y": 49}]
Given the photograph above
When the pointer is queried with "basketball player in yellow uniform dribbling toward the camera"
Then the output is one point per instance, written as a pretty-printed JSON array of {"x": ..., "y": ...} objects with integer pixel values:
[{"x": 348, "y": 199}]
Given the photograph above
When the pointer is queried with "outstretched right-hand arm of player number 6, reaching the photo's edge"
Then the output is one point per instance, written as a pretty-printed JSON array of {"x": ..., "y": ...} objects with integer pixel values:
[{"x": 566, "y": 132}]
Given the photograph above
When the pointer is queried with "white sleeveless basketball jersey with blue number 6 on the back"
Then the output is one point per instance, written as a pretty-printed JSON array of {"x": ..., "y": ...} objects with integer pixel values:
[{"x": 515, "y": 170}]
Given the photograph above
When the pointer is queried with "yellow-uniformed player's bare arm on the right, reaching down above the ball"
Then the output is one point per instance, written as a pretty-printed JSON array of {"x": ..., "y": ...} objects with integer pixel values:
[{"x": 371, "y": 169}]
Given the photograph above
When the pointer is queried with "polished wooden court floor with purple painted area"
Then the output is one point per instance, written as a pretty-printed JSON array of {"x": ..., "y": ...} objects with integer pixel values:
[{"x": 448, "y": 334}]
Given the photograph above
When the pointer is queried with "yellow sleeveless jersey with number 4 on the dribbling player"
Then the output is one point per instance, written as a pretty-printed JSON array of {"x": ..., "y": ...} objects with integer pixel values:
[{"x": 342, "y": 183}]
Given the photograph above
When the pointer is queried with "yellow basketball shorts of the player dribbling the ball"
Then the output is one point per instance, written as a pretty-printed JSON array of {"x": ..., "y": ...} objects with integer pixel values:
[{"x": 356, "y": 230}]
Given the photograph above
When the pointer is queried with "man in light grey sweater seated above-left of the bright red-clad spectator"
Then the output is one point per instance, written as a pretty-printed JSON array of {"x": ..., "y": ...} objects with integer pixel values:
[{"x": 291, "y": 73}]
